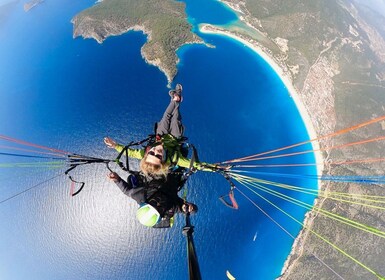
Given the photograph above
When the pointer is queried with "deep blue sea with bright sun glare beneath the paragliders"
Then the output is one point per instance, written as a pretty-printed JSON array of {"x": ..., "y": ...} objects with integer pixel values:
[{"x": 69, "y": 93}]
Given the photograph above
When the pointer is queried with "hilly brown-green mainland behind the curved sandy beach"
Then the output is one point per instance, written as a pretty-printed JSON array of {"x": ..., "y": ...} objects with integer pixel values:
[{"x": 334, "y": 52}]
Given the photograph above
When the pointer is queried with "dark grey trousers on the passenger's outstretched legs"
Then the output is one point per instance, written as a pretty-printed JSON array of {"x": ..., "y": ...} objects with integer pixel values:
[{"x": 171, "y": 122}]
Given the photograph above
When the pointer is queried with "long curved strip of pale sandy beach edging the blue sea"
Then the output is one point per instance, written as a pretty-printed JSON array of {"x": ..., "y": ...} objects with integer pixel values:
[{"x": 297, "y": 246}]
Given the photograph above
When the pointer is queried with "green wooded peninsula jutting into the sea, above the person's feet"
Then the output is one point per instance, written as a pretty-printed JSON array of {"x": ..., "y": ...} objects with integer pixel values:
[{"x": 164, "y": 21}]
